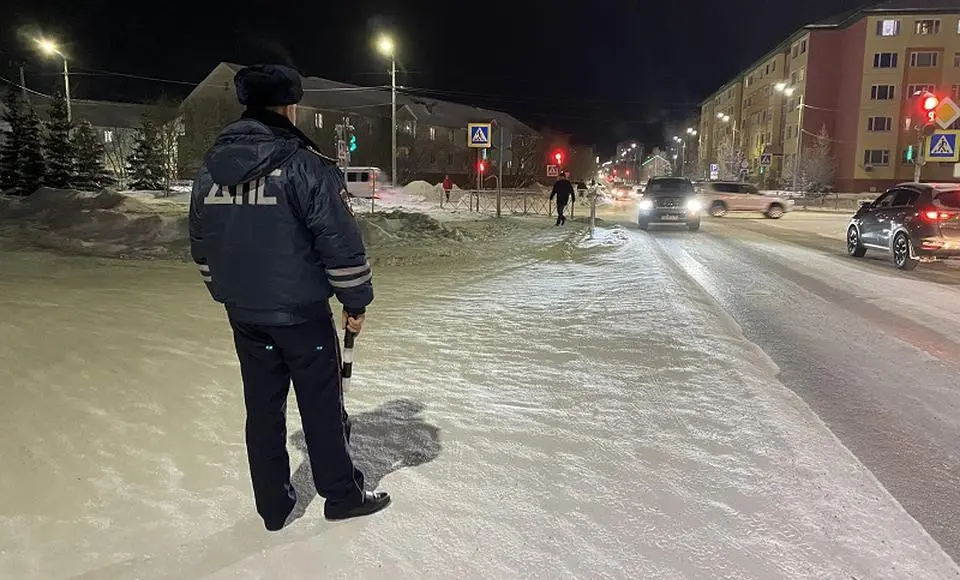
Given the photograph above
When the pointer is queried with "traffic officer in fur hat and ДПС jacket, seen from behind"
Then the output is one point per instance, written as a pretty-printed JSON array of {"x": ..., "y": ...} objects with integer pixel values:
[{"x": 274, "y": 239}]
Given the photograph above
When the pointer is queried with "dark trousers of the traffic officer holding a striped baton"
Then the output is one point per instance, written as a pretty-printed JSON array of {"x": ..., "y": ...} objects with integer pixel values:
[{"x": 309, "y": 354}]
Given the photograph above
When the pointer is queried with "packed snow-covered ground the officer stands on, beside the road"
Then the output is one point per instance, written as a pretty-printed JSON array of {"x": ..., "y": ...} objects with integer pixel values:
[{"x": 565, "y": 408}]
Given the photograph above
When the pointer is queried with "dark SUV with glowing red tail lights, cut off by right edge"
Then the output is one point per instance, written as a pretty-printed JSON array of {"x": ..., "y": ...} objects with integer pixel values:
[{"x": 913, "y": 223}]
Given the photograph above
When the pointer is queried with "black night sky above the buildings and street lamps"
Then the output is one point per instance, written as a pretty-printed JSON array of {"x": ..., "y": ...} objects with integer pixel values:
[{"x": 604, "y": 70}]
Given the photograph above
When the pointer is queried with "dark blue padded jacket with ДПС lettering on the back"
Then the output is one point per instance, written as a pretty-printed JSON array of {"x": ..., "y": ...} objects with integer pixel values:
[{"x": 270, "y": 228}]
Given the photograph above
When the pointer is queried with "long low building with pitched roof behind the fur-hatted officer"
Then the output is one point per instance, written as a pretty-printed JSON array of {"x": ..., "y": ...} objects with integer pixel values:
[{"x": 431, "y": 134}]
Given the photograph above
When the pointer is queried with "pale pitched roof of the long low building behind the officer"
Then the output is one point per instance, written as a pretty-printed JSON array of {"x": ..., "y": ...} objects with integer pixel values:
[{"x": 323, "y": 93}]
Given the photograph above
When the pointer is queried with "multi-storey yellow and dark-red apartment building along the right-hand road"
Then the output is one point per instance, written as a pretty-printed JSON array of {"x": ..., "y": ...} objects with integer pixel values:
[{"x": 852, "y": 75}]
